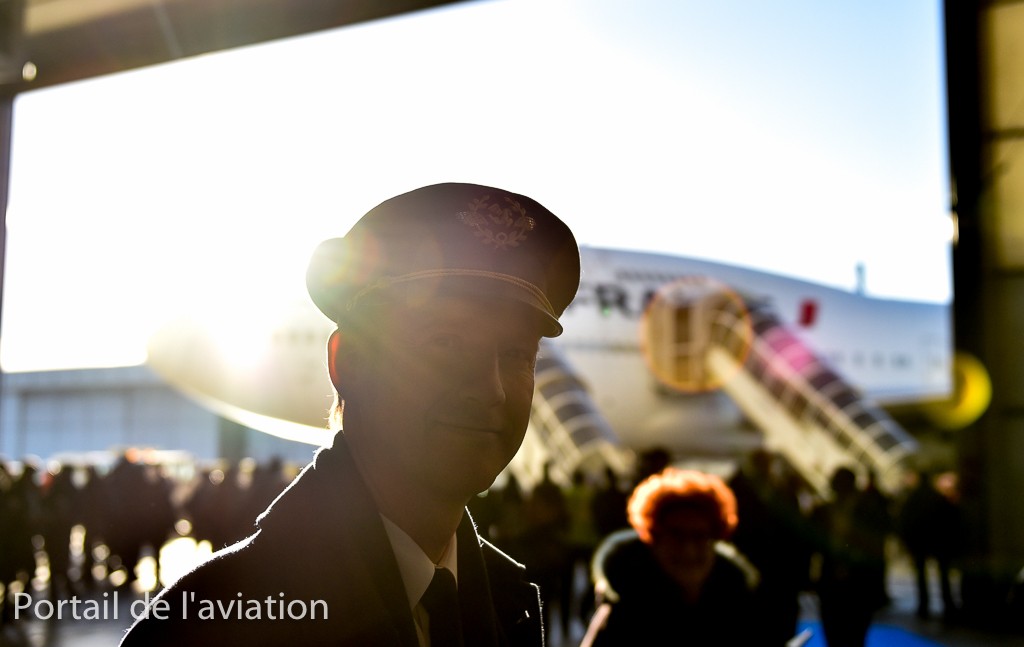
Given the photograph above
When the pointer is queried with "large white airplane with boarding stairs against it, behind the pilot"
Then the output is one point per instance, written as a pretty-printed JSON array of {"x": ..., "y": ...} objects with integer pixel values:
[{"x": 704, "y": 360}]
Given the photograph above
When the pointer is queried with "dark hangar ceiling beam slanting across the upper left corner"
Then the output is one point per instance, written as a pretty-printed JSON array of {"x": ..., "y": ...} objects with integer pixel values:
[{"x": 68, "y": 40}]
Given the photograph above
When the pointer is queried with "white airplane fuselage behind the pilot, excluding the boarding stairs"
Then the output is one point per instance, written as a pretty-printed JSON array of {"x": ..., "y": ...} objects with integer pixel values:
[{"x": 892, "y": 351}]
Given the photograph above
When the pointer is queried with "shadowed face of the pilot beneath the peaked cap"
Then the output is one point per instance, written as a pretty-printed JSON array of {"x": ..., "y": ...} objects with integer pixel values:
[{"x": 447, "y": 389}]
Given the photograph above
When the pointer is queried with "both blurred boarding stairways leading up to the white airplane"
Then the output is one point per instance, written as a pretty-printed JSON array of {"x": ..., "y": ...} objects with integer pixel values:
[{"x": 703, "y": 337}]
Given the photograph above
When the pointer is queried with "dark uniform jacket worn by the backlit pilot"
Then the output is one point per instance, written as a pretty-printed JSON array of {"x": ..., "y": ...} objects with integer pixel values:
[{"x": 322, "y": 552}]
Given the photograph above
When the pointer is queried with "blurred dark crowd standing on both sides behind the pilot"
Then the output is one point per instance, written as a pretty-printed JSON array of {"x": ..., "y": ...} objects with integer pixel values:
[{"x": 781, "y": 540}]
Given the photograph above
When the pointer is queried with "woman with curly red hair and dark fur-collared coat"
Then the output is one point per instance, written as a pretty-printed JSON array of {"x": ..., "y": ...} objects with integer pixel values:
[{"x": 672, "y": 579}]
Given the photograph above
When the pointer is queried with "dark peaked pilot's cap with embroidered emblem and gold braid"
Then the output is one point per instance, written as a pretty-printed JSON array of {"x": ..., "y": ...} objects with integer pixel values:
[{"x": 450, "y": 239}]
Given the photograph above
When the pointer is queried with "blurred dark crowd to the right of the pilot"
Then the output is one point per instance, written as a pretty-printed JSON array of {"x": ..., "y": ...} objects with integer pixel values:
[{"x": 785, "y": 540}]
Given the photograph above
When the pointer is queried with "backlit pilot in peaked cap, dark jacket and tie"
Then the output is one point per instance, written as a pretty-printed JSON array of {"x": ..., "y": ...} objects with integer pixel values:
[{"x": 441, "y": 297}]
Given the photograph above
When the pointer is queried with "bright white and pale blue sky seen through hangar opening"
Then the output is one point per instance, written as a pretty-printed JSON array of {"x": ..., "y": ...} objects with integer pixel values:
[{"x": 799, "y": 137}]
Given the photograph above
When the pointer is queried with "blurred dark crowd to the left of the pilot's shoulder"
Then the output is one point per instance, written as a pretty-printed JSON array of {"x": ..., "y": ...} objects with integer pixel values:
[{"x": 91, "y": 527}]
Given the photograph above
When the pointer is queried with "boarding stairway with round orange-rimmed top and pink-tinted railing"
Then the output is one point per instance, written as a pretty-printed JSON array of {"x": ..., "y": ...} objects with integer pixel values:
[{"x": 713, "y": 338}]
